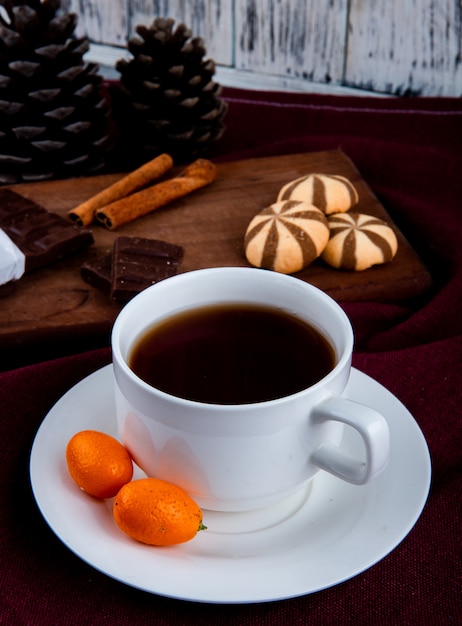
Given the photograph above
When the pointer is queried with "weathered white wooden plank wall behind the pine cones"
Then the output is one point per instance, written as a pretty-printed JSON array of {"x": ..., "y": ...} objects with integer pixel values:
[{"x": 389, "y": 47}]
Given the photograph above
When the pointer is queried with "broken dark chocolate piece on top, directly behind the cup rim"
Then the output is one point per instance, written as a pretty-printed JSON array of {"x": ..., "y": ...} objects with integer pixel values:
[{"x": 138, "y": 263}]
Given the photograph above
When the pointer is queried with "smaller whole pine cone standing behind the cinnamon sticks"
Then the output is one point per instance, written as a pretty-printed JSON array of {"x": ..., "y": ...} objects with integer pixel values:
[{"x": 166, "y": 100}]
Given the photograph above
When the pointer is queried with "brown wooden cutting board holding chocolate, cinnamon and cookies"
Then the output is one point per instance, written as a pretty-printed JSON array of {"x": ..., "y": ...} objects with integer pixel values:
[{"x": 55, "y": 302}]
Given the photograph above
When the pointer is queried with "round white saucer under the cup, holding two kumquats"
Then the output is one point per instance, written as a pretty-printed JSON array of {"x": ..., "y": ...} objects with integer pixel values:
[{"x": 331, "y": 533}]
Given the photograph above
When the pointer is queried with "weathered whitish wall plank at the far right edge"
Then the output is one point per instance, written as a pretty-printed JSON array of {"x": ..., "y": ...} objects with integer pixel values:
[{"x": 405, "y": 46}]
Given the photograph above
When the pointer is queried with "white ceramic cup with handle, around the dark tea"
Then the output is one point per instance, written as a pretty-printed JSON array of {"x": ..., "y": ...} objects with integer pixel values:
[{"x": 247, "y": 456}]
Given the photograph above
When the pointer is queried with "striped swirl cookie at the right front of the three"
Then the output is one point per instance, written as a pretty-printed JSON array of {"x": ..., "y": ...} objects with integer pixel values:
[{"x": 358, "y": 241}]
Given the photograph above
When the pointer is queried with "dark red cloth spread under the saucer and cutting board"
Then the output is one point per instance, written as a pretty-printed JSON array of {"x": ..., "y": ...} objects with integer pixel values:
[{"x": 409, "y": 153}]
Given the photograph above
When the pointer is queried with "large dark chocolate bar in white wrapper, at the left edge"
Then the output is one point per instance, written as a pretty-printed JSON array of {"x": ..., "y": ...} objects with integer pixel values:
[{"x": 42, "y": 237}]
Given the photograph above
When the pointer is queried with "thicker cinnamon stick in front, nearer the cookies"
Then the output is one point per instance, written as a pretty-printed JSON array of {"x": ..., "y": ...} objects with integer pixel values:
[{"x": 199, "y": 174}]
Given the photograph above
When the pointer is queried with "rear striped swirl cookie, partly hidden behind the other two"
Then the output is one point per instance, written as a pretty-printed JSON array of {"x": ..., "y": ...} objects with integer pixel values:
[{"x": 331, "y": 194}]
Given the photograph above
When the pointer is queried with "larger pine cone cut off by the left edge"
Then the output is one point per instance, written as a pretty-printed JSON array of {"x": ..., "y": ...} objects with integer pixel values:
[{"x": 53, "y": 118}]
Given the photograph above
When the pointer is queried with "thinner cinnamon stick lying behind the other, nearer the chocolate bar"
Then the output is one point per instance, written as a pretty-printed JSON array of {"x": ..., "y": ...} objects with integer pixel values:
[{"x": 84, "y": 213}]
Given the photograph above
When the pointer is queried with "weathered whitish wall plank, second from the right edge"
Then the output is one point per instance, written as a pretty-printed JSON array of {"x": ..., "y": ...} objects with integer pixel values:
[{"x": 292, "y": 38}]
